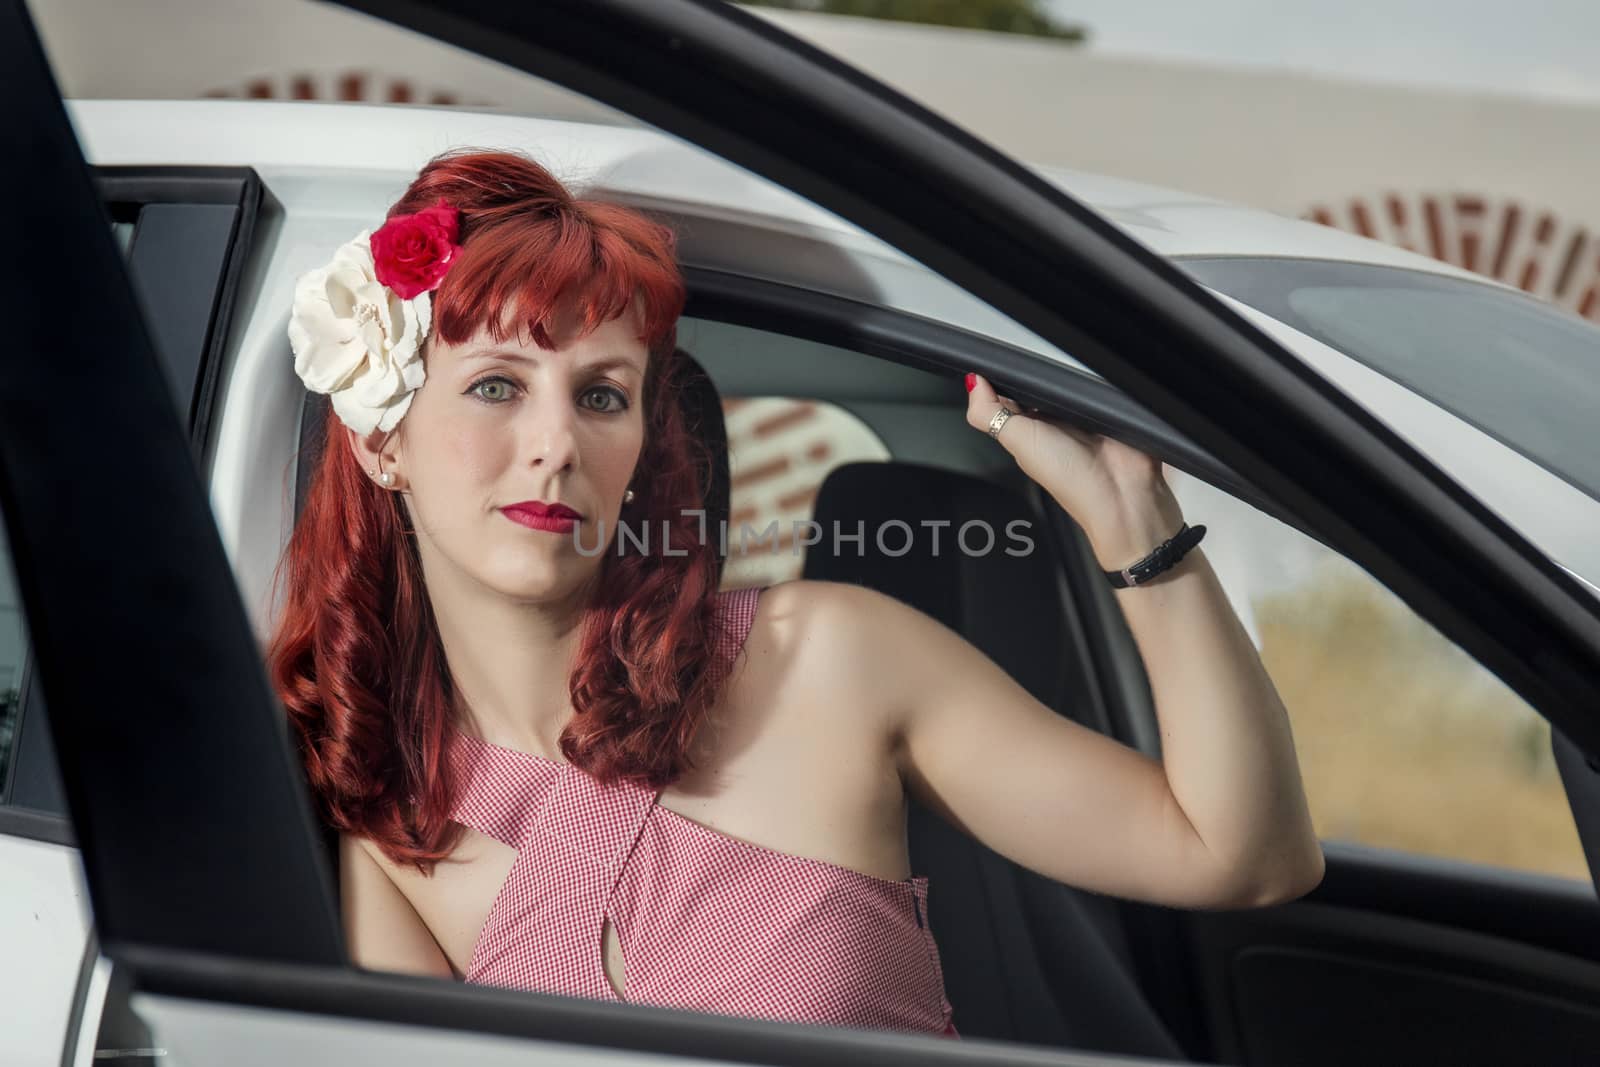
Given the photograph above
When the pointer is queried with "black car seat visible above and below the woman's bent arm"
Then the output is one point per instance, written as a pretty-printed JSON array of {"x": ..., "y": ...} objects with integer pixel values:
[{"x": 1026, "y": 959}]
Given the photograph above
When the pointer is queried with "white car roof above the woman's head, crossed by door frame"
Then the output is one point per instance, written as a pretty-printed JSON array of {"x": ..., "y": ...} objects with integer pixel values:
[{"x": 378, "y": 150}]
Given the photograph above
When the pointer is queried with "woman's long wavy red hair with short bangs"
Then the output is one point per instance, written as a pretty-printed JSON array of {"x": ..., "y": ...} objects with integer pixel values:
[{"x": 356, "y": 657}]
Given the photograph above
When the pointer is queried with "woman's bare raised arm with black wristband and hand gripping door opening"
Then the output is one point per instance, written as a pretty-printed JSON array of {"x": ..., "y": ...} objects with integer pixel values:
[{"x": 1220, "y": 821}]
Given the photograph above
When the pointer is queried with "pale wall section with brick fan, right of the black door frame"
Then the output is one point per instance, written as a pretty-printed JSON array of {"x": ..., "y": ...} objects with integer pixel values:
[{"x": 1498, "y": 185}]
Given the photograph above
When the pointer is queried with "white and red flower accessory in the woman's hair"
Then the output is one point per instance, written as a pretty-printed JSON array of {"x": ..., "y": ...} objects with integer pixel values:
[{"x": 359, "y": 324}]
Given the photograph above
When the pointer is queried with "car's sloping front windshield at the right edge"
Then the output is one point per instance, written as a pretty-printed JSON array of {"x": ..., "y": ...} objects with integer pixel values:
[{"x": 1519, "y": 370}]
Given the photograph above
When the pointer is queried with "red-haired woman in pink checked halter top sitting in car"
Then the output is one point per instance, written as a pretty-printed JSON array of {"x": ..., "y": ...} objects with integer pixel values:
[{"x": 590, "y": 772}]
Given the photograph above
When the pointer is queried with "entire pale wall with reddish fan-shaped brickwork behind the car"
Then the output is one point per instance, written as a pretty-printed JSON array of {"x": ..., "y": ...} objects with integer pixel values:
[{"x": 1498, "y": 185}]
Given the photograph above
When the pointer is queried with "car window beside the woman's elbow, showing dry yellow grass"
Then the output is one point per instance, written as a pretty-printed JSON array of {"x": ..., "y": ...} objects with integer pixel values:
[{"x": 1404, "y": 740}]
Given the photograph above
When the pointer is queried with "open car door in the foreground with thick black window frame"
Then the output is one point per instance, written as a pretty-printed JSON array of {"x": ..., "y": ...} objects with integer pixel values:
[{"x": 236, "y": 951}]
